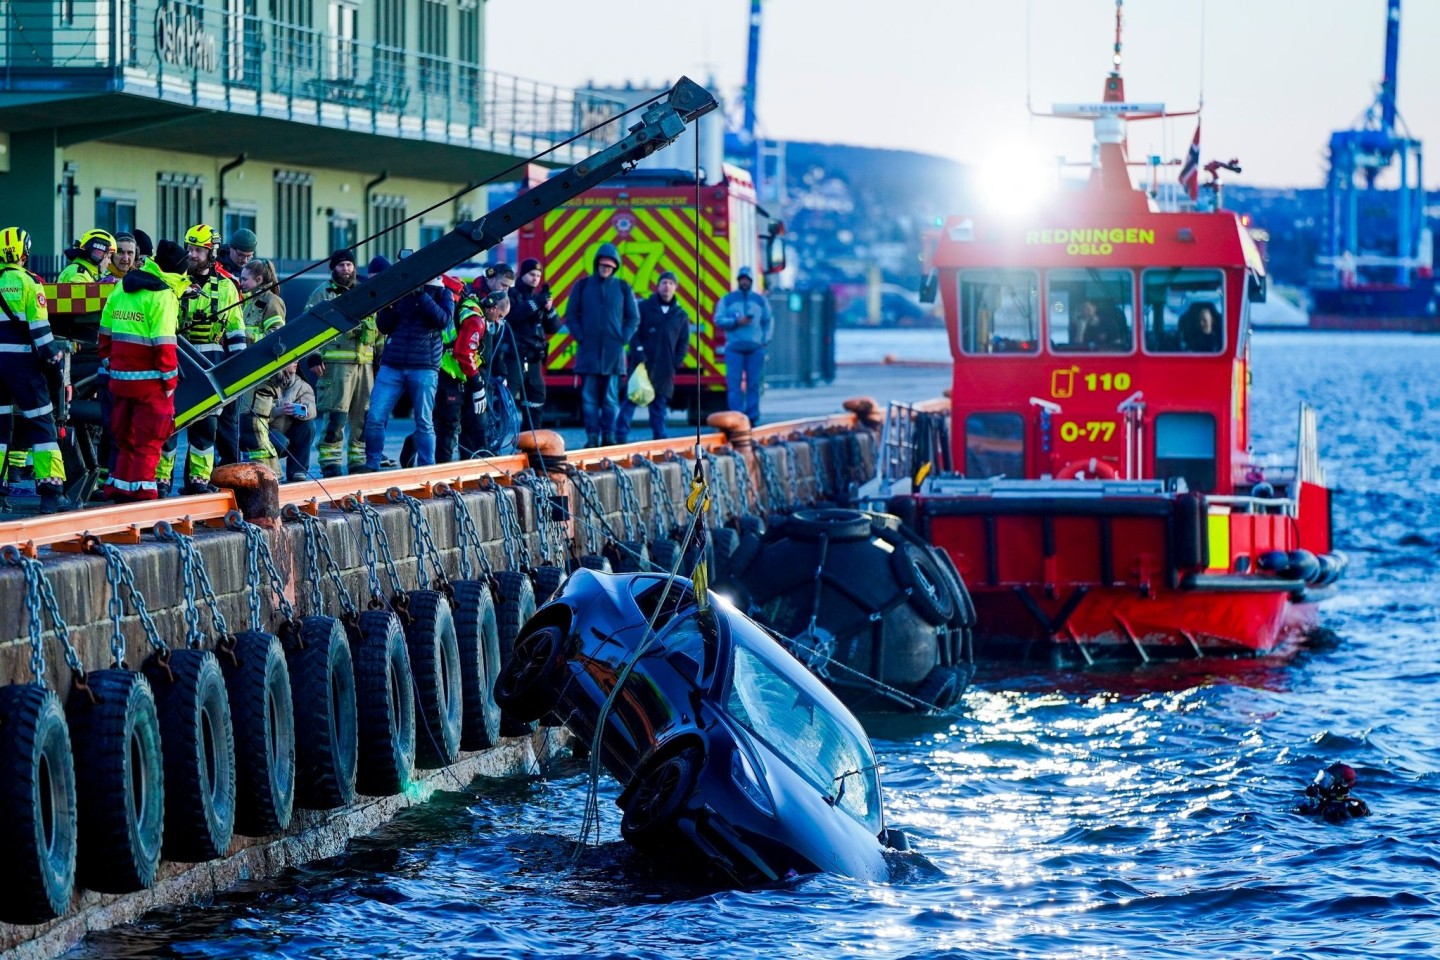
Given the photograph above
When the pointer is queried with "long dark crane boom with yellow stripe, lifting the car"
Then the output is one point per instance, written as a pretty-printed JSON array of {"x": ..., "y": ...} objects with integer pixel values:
[{"x": 204, "y": 389}]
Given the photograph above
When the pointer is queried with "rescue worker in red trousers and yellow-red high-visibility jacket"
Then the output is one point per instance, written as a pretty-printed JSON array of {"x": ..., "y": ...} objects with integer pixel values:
[{"x": 138, "y": 339}]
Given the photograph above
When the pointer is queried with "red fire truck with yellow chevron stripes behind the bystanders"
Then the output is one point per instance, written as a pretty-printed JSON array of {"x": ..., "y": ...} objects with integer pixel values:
[{"x": 659, "y": 221}]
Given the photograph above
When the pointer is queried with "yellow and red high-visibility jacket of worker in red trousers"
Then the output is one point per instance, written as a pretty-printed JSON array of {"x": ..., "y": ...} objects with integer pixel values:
[{"x": 138, "y": 332}]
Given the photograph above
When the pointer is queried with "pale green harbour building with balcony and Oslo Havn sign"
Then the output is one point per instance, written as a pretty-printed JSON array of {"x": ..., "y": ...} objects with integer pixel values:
[{"x": 315, "y": 123}]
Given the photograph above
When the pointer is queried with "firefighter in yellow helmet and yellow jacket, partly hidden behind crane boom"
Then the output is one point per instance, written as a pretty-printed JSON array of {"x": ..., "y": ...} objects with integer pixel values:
[{"x": 214, "y": 325}]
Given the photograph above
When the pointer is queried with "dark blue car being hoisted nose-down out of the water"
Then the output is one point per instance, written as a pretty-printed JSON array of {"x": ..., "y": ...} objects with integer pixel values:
[{"x": 725, "y": 745}]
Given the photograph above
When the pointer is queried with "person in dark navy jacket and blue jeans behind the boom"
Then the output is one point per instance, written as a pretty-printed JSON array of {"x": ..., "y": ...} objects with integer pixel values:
[{"x": 415, "y": 326}]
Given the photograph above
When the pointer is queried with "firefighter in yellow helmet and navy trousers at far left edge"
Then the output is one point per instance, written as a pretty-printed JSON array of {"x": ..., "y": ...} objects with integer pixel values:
[{"x": 27, "y": 345}]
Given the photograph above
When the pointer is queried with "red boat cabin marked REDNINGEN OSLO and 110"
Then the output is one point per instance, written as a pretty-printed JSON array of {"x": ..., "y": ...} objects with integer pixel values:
[{"x": 1102, "y": 343}]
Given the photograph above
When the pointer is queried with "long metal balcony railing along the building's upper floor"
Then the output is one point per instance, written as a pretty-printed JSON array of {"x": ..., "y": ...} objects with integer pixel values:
[{"x": 192, "y": 53}]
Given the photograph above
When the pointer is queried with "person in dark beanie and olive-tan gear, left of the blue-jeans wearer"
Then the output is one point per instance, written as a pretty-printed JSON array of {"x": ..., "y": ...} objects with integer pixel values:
[{"x": 343, "y": 373}]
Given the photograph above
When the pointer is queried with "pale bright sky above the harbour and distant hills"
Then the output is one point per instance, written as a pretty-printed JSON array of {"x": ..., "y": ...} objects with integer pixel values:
[{"x": 951, "y": 77}]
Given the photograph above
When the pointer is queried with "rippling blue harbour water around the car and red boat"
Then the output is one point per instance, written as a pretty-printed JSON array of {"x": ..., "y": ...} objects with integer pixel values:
[{"x": 1114, "y": 814}]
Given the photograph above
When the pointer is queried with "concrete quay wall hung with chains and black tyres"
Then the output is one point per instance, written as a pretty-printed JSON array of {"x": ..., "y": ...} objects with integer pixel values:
[{"x": 784, "y": 474}]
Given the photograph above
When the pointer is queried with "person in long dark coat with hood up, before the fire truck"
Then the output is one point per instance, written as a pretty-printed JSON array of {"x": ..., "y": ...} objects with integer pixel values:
[{"x": 603, "y": 317}]
